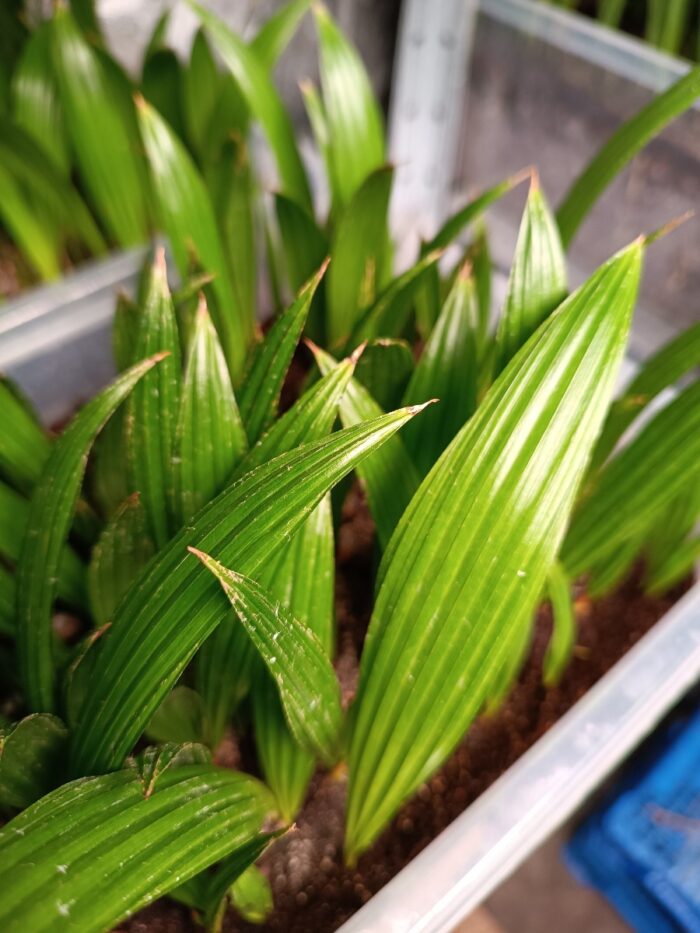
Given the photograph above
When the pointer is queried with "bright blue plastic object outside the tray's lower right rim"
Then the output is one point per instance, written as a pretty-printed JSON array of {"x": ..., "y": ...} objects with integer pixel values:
[{"x": 641, "y": 848}]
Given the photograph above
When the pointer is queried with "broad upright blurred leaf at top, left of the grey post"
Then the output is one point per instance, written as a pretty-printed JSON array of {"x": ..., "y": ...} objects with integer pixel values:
[{"x": 353, "y": 118}]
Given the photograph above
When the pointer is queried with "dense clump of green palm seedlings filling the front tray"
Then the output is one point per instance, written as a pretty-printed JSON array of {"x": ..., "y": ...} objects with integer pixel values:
[{"x": 186, "y": 525}]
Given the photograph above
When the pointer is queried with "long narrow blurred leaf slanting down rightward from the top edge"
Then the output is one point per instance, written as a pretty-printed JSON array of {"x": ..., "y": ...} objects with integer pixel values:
[{"x": 264, "y": 102}]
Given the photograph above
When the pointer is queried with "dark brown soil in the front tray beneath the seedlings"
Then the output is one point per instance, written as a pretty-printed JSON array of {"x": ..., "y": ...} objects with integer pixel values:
[{"x": 313, "y": 890}]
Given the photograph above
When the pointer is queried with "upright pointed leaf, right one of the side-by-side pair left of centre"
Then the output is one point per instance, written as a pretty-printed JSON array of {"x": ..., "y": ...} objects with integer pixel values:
[{"x": 210, "y": 438}]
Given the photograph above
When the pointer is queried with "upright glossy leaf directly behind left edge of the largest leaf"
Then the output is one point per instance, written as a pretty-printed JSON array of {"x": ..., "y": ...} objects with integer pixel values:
[{"x": 446, "y": 371}]
